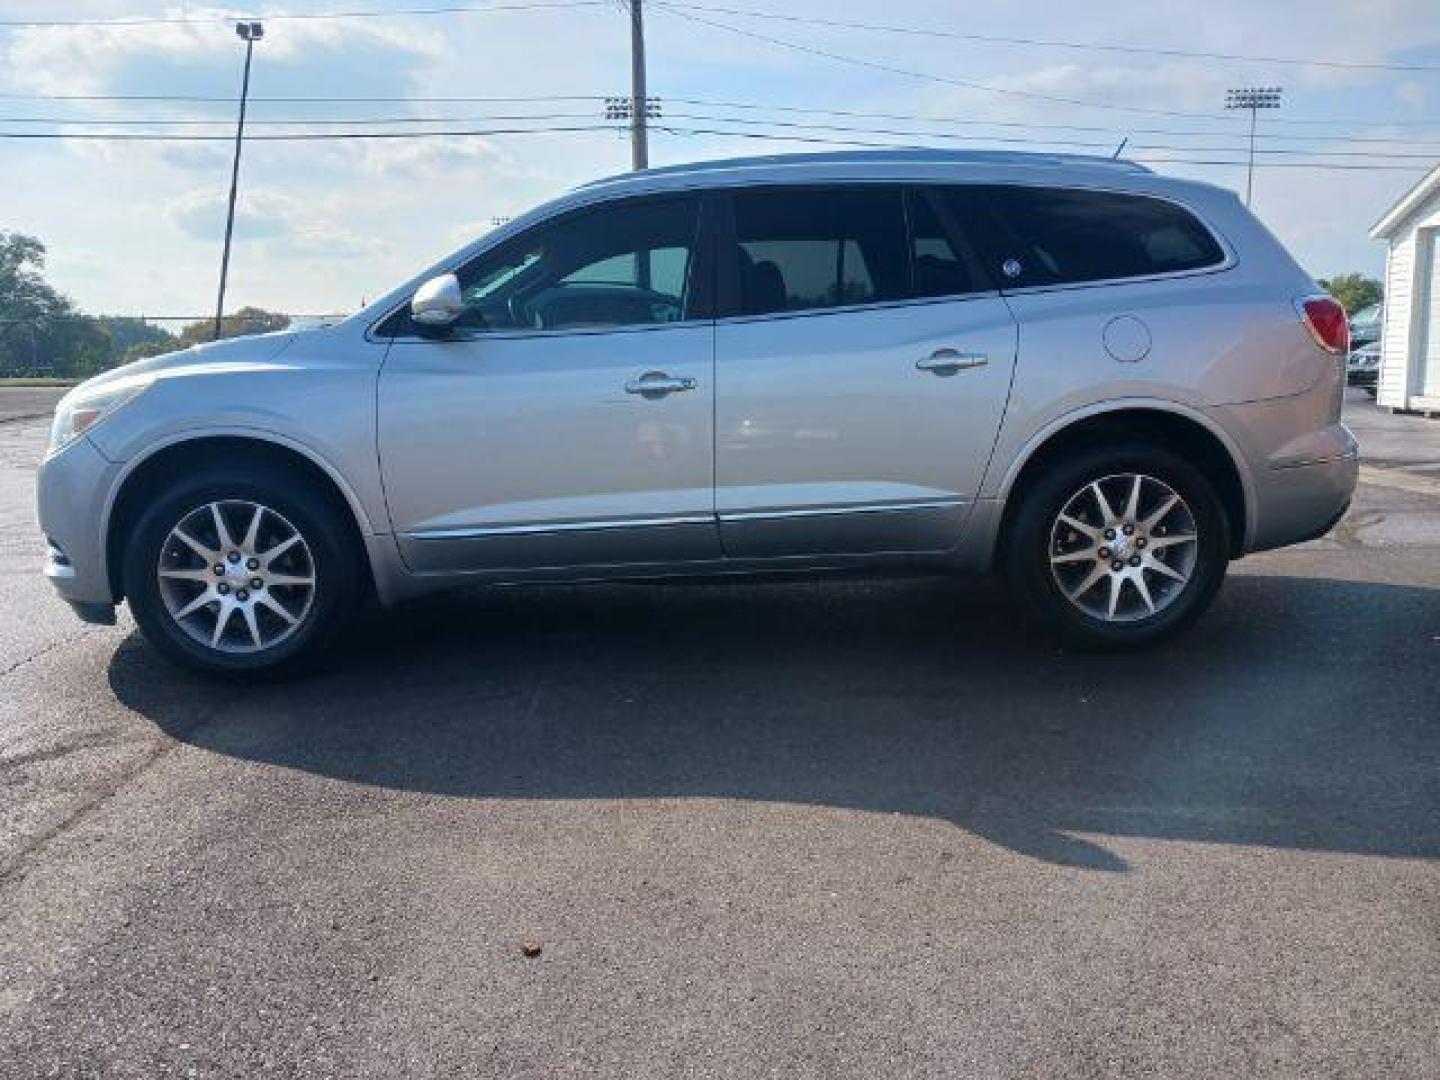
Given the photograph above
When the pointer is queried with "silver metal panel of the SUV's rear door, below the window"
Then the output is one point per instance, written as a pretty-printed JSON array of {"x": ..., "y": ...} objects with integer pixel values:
[{"x": 833, "y": 440}]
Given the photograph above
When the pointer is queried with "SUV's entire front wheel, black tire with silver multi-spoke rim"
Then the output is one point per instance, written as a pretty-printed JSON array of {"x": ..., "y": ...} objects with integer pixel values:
[{"x": 241, "y": 571}]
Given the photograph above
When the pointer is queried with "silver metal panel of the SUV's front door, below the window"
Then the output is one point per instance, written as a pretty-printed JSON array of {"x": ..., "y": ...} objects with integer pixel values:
[{"x": 604, "y": 474}]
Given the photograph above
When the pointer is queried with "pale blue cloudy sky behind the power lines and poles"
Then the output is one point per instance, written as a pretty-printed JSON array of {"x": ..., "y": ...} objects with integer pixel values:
[{"x": 136, "y": 227}]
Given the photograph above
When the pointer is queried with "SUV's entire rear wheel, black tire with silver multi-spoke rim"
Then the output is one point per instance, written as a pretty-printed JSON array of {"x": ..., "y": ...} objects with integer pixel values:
[{"x": 1118, "y": 546}]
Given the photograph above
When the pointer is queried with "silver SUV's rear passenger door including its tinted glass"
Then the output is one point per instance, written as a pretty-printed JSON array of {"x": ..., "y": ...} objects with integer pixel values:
[{"x": 862, "y": 369}]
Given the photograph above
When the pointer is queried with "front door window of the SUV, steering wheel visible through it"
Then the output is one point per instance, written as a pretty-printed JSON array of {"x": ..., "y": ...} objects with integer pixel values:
[{"x": 620, "y": 266}]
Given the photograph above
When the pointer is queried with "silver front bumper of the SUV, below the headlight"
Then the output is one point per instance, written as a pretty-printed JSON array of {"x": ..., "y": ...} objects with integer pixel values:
[{"x": 71, "y": 495}]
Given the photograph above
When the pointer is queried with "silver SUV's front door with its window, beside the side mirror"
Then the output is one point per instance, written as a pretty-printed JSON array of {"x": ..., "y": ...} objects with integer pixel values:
[{"x": 567, "y": 420}]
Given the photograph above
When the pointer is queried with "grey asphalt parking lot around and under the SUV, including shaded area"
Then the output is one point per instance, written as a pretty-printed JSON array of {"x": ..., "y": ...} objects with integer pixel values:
[{"x": 798, "y": 829}]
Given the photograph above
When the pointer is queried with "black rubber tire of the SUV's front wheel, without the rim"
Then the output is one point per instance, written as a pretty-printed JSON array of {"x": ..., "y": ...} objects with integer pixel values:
[{"x": 333, "y": 551}]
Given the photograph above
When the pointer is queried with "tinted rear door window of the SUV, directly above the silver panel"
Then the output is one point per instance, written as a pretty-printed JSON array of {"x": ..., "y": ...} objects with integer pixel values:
[{"x": 803, "y": 250}]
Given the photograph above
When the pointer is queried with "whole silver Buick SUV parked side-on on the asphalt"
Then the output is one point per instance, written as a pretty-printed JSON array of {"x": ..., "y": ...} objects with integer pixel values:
[{"x": 1101, "y": 382}]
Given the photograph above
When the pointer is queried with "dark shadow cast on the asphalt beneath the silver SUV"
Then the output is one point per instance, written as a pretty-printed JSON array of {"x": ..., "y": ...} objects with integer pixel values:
[{"x": 1298, "y": 715}]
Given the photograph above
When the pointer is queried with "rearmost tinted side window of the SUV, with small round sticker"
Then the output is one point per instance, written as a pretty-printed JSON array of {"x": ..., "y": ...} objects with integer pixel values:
[{"x": 1063, "y": 235}]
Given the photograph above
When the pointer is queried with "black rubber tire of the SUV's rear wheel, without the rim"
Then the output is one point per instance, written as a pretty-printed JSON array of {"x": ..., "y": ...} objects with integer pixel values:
[{"x": 1027, "y": 565}]
